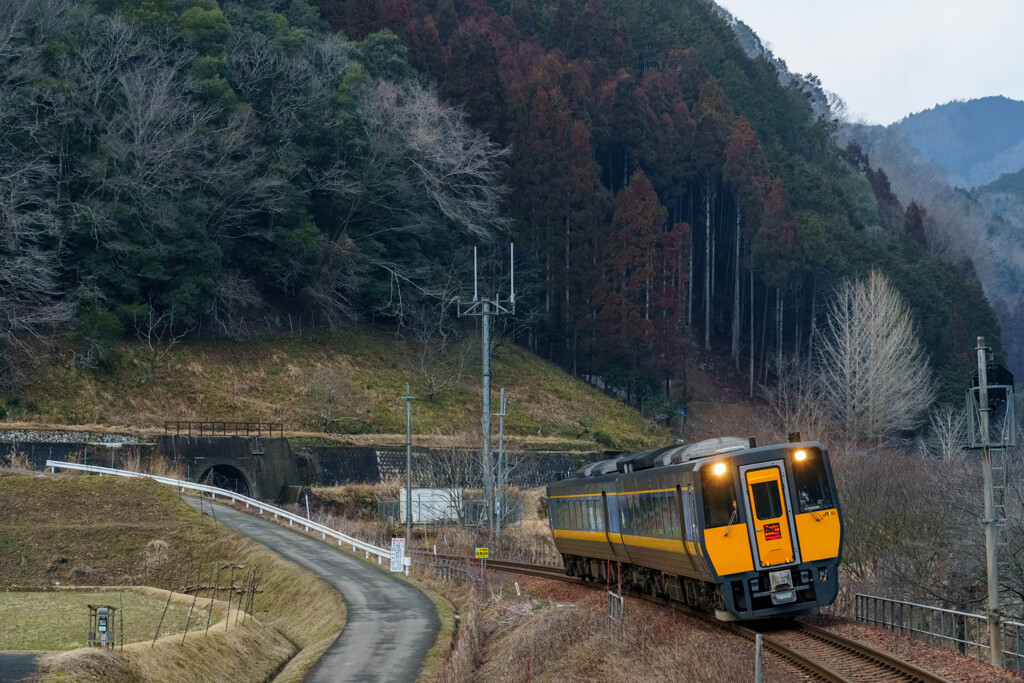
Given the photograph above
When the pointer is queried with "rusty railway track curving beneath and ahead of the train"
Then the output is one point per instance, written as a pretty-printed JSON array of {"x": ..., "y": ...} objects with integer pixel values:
[{"x": 820, "y": 654}]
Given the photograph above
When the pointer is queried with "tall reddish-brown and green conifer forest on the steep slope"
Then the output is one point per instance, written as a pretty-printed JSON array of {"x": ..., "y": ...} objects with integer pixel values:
[{"x": 603, "y": 104}]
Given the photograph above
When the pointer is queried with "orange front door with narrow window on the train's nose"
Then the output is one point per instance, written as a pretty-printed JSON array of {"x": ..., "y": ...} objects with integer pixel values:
[{"x": 771, "y": 517}]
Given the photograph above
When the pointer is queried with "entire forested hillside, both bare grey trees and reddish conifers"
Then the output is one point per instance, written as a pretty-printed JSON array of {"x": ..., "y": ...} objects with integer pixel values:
[{"x": 175, "y": 168}]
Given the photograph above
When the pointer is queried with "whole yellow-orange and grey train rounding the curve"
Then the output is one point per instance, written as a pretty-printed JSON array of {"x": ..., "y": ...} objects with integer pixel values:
[{"x": 722, "y": 526}]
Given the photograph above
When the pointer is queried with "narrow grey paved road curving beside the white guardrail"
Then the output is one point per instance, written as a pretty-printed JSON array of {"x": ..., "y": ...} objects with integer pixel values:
[{"x": 391, "y": 625}]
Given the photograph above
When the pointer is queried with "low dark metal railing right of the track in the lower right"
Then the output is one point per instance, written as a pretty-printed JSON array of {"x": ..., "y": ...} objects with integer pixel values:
[{"x": 963, "y": 632}]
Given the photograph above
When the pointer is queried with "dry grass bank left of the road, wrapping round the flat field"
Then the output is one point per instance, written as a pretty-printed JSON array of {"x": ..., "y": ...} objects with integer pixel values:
[{"x": 147, "y": 536}]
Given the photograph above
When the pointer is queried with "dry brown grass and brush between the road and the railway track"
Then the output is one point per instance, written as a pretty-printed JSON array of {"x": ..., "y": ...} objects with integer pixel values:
[{"x": 563, "y": 632}]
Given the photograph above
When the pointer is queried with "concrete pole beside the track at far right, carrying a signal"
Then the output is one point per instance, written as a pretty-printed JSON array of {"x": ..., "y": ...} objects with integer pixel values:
[{"x": 995, "y": 623}]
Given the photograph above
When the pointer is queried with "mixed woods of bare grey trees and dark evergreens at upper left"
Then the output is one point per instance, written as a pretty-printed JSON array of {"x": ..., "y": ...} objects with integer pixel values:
[{"x": 178, "y": 168}]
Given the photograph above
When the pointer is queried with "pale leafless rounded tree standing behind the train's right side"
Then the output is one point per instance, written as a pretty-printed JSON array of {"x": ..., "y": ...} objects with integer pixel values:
[{"x": 875, "y": 377}]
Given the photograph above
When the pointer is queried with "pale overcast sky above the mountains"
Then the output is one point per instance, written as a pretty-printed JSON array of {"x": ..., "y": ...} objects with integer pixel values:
[{"x": 889, "y": 59}]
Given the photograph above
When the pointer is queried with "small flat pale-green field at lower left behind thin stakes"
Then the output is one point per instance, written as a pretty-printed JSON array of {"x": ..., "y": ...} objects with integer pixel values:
[{"x": 60, "y": 621}]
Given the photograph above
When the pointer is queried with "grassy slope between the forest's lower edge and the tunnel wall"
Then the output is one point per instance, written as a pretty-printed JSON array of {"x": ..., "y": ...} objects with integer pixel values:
[{"x": 330, "y": 386}]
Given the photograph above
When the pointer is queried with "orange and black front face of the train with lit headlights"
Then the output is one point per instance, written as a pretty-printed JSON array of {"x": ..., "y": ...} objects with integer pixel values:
[{"x": 783, "y": 498}]
